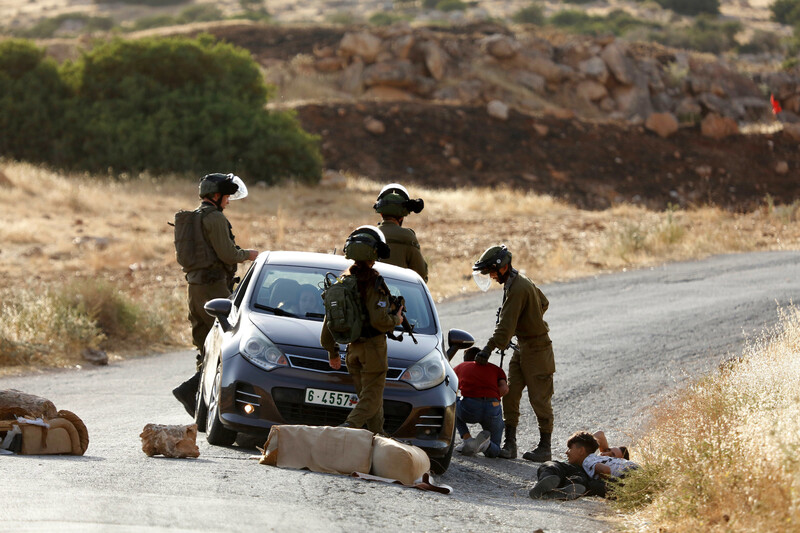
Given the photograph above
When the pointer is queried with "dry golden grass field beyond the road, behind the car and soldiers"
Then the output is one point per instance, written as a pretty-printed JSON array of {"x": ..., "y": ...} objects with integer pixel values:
[{"x": 60, "y": 230}]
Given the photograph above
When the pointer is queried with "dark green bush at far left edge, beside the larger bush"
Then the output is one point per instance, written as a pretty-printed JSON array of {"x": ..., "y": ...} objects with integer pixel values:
[{"x": 32, "y": 99}]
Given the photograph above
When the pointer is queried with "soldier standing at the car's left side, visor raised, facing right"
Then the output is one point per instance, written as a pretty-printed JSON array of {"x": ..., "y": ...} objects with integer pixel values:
[{"x": 207, "y": 240}]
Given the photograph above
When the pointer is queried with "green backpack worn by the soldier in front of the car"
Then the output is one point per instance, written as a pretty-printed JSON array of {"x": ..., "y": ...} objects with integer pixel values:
[{"x": 343, "y": 308}]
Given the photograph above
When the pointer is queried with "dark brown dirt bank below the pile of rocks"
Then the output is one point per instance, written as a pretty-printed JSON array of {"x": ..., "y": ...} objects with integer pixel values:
[{"x": 590, "y": 165}]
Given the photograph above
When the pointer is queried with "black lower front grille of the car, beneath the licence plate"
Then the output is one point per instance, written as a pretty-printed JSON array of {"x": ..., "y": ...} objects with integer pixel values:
[{"x": 293, "y": 409}]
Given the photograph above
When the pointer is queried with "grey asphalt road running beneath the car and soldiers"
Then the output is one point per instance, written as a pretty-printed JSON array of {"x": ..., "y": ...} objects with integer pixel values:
[{"x": 622, "y": 342}]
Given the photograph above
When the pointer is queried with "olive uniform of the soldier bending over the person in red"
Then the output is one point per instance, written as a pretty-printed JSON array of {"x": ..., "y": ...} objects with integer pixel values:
[{"x": 533, "y": 365}]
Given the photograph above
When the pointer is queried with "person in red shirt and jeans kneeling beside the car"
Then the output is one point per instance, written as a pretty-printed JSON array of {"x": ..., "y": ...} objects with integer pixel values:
[{"x": 481, "y": 388}]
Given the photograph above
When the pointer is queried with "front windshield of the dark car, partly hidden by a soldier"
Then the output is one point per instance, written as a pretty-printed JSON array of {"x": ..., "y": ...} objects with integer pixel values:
[{"x": 297, "y": 292}]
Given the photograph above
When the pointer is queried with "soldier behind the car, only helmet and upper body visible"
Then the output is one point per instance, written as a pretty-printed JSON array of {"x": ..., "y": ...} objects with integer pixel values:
[{"x": 394, "y": 204}]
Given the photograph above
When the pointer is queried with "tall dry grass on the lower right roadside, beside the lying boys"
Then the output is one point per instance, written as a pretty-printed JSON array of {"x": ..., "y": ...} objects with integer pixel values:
[{"x": 723, "y": 454}]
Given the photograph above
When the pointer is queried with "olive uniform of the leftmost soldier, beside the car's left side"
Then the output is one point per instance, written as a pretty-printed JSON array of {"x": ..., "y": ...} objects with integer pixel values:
[{"x": 216, "y": 281}]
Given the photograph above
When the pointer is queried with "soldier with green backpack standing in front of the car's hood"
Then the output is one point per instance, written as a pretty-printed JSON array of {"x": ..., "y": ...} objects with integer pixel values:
[{"x": 366, "y": 360}]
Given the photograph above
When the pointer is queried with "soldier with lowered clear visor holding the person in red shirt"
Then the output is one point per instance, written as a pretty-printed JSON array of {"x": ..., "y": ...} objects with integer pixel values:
[{"x": 532, "y": 365}]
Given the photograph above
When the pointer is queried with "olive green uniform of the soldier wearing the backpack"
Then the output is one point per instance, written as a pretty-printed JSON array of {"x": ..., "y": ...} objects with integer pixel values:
[{"x": 367, "y": 360}]
